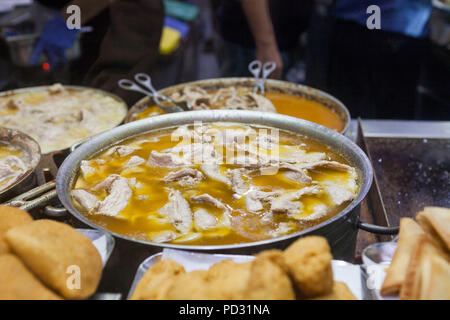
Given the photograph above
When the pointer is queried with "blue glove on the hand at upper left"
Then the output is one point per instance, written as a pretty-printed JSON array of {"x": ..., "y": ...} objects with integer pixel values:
[{"x": 54, "y": 40}]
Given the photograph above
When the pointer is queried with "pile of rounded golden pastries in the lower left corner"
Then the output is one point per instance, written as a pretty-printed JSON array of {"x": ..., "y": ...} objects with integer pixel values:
[{"x": 45, "y": 259}]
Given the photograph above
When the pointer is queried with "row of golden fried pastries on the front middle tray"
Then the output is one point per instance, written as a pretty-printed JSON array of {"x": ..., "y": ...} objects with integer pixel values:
[{"x": 302, "y": 271}]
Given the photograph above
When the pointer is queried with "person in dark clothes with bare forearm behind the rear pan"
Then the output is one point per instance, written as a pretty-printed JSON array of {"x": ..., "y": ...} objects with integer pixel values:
[{"x": 267, "y": 30}]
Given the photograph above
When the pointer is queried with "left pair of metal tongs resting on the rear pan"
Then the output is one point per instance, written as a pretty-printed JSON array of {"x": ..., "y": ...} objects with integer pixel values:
[{"x": 144, "y": 85}]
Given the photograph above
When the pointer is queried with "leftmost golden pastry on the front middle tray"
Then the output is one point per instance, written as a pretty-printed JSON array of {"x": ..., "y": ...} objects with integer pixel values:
[{"x": 154, "y": 283}]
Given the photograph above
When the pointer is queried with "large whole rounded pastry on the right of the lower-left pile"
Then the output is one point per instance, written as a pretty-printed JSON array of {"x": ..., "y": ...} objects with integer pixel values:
[{"x": 48, "y": 248}]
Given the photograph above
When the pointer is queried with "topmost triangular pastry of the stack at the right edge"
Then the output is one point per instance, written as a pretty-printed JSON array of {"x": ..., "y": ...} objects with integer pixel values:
[{"x": 435, "y": 222}]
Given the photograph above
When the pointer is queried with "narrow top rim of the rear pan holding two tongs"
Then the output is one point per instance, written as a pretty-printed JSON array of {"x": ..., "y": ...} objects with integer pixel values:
[{"x": 236, "y": 80}]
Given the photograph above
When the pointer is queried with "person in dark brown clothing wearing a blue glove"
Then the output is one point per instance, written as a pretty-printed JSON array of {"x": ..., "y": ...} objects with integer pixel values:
[{"x": 125, "y": 40}]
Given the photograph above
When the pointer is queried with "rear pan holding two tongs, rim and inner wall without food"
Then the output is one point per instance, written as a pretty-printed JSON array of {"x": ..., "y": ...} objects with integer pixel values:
[{"x": 271, "y": 86}]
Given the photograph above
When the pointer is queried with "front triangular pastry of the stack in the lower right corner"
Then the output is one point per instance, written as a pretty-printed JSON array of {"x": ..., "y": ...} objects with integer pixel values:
[{"x": 428, "y": 274}]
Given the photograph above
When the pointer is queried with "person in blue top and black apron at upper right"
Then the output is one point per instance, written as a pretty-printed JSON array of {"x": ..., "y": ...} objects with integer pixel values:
[{"x": 375, "y": 73}]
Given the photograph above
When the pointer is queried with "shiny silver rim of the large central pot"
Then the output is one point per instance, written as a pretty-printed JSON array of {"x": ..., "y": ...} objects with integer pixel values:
[{"x": 69, "y": 168}]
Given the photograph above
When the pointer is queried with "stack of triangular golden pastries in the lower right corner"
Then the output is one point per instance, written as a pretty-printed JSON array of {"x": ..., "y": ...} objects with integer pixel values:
[{"x": 420, "y": 269}]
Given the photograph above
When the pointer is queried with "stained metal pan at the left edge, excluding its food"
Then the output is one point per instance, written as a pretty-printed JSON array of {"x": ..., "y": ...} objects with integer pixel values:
[{"x": 33, "y": 156}]
